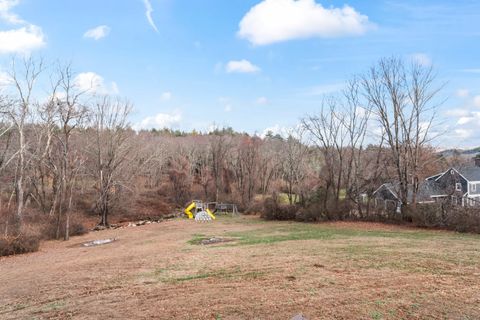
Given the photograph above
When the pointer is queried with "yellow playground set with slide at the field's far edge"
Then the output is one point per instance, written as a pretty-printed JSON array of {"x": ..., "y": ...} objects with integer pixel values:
[{"x": 205, "y": 211}]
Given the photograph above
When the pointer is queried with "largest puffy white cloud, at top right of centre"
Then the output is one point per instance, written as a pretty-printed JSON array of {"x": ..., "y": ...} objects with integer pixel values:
[{"x": 273, "y": 21}]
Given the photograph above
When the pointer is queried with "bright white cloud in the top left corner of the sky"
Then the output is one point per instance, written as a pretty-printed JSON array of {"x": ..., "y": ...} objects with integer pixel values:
[{"x": 23, "y": 39}]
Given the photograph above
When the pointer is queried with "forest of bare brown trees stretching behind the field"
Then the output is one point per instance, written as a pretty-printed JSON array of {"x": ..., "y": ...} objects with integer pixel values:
[{"x": 70, "y": 159}]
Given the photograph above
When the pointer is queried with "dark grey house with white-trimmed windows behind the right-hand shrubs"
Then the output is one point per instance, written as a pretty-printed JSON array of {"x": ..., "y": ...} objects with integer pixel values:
[{"x": 459, "y": 185}]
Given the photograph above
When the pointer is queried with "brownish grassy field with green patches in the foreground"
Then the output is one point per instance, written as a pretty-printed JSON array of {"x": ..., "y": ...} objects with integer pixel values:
[{"x": 264, "y": 270}]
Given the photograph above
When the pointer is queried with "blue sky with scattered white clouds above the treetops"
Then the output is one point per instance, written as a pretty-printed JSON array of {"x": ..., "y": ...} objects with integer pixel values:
[{"x": 250, "y": 64}]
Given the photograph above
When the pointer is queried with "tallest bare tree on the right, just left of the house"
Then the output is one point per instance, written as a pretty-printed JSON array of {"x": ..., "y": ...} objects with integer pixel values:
[{"x": 402, "y": 100}]
